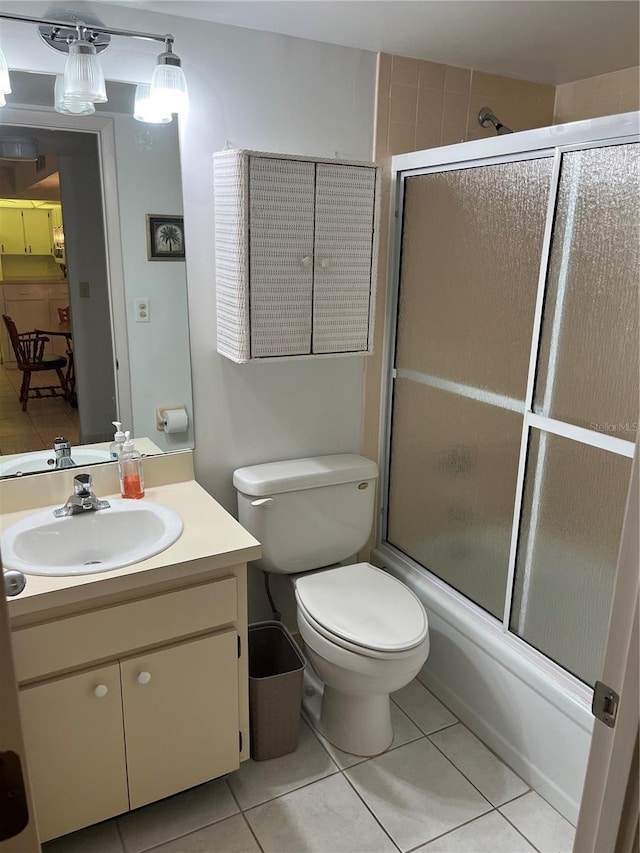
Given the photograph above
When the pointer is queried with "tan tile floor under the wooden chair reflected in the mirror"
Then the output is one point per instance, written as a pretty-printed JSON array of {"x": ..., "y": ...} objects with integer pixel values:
[{"x": 44, "y": 419}]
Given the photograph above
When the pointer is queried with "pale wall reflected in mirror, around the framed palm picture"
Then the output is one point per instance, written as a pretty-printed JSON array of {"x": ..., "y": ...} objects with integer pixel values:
[{"x": 148, "y": 168}]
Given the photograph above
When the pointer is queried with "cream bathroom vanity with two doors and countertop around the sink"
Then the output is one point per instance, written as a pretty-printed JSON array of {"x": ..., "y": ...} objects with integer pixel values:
[{"x": 133, "y": 682}]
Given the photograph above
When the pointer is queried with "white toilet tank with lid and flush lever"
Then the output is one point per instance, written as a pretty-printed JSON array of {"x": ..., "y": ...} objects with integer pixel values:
[{"x": 307, "y": 513}]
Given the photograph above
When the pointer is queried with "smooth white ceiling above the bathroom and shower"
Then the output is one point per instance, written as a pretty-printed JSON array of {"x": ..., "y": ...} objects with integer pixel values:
[{"x": 547, "y": 41}]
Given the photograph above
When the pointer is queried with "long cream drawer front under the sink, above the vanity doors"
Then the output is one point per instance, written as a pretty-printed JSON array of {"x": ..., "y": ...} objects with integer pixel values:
[{"x": 63, "y": 644}]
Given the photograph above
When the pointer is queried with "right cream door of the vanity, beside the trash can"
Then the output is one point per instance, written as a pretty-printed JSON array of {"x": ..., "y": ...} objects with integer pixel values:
[{"x": 180, "y": 716}]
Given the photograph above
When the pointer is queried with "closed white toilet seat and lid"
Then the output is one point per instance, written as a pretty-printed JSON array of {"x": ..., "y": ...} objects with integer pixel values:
[{"x": 363, "y": 609}]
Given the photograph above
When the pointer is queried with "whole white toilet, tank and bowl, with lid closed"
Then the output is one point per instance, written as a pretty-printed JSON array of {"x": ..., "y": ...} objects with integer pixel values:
[{"x": 365, "y": 632}]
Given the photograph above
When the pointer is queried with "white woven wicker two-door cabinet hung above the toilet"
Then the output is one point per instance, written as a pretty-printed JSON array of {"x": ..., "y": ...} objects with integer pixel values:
[{"x": 296, "y": 254}]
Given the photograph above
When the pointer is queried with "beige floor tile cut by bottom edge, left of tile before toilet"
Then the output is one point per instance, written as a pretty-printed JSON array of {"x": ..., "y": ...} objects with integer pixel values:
[{"x": 325, "y": 816}]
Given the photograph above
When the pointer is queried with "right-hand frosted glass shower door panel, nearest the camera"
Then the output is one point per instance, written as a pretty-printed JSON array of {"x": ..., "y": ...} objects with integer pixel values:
[{"x": 586, "y": 392}]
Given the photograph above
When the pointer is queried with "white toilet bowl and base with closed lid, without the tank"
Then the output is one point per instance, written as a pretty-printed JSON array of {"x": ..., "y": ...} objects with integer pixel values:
[{"x": 366, "y": 636}]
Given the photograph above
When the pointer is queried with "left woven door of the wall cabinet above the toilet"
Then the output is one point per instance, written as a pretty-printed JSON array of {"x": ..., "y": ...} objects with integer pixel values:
[{"x": 281, "y": 194}]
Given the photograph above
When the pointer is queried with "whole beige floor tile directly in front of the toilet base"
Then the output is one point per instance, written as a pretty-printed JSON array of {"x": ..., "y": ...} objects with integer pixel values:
[{"x": 416, "y": 793}]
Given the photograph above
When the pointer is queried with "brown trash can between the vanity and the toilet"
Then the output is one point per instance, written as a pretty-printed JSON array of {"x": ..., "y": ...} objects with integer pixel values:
[{"x": 276, "y": 667}]
